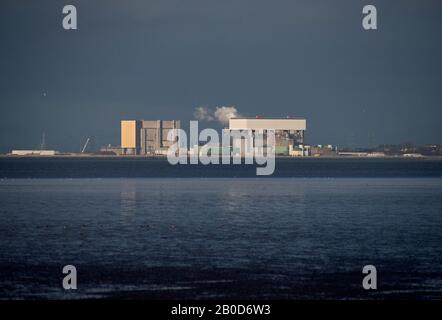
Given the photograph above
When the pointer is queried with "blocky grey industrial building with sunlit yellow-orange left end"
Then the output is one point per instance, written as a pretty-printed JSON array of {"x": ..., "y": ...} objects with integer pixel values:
[{"x": 146, "y": 137}]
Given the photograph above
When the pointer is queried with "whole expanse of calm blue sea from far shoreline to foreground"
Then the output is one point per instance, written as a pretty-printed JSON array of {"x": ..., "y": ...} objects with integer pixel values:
[{"x": 143, "y": 229}]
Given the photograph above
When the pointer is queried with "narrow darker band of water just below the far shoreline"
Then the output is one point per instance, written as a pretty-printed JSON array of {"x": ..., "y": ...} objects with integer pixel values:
[{"x": 159, "y": 168}]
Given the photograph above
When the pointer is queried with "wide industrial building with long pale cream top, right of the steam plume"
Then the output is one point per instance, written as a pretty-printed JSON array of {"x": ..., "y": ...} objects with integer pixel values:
[{"x": 289, "y": 132}]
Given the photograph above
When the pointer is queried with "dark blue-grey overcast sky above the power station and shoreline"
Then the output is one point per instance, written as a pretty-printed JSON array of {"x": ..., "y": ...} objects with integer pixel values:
[{"x": 161, "y": 59}]
